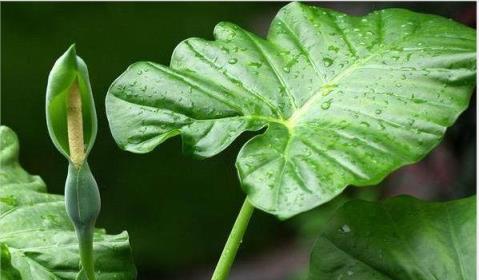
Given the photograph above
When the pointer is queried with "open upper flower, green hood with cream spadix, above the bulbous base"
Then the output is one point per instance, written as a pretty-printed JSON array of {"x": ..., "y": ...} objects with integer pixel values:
[{"x": 69, "y": 92}]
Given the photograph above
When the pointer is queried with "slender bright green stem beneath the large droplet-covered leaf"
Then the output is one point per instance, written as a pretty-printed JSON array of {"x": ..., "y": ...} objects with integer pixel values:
[{"x": 232, "y": 244}]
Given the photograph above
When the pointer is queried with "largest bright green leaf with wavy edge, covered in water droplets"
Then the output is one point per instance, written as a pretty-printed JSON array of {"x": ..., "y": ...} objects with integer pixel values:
[{"x": 345, "y": 99}]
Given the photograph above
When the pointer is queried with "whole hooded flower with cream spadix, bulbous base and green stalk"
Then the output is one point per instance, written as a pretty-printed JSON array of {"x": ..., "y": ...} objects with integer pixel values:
[{"x": 71, "y": 121}]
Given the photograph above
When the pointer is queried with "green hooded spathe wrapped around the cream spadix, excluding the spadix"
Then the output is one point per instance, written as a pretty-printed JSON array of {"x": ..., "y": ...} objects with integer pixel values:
[{"x": 67, "y": 72}]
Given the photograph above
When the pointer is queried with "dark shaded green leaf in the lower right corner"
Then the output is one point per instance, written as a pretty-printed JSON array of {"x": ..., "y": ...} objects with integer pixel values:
[{"x": 400, "y": 238}]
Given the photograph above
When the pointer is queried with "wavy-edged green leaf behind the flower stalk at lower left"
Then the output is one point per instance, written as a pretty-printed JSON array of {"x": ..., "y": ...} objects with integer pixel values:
[{"x": 37, "y": 240}]
